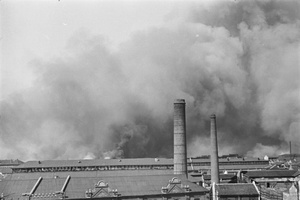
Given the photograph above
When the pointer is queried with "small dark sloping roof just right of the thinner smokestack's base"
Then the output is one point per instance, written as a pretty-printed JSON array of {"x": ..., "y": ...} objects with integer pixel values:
[{"x": 236, "y": 189}]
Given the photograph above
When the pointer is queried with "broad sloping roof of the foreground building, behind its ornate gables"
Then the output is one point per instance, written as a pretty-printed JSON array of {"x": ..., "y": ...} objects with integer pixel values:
[{"x": 77, "y": 186}]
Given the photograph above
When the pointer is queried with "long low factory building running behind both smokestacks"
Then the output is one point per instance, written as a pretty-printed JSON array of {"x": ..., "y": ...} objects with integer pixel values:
[{"x": 194, "y": 165}]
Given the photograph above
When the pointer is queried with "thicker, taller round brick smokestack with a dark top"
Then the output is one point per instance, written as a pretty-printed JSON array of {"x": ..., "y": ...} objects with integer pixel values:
[{"x": 180, "y": 153}]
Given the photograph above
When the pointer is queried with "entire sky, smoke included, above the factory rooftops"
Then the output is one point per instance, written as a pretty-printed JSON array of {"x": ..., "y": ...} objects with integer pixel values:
[{"x": 91, "y": 78}]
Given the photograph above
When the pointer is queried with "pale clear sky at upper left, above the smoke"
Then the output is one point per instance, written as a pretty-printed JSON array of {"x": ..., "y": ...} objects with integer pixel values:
[{"x": 33, "y": 29}]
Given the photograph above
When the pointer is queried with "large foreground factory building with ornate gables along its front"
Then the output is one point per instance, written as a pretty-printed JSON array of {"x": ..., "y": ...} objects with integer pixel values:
[{"x": 82, "y": 185}]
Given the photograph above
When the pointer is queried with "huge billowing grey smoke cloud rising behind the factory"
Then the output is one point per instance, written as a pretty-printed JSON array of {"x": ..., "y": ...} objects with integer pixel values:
[{"x": 238, "y": 59}]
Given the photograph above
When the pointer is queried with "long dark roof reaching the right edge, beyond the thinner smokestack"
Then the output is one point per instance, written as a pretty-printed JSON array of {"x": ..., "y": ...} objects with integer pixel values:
[{"x": 271, "y": 173}]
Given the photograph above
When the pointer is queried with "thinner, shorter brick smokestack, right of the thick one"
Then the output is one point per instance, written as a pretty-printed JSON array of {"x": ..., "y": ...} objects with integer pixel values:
[{"x": 214, "y": 159}]
